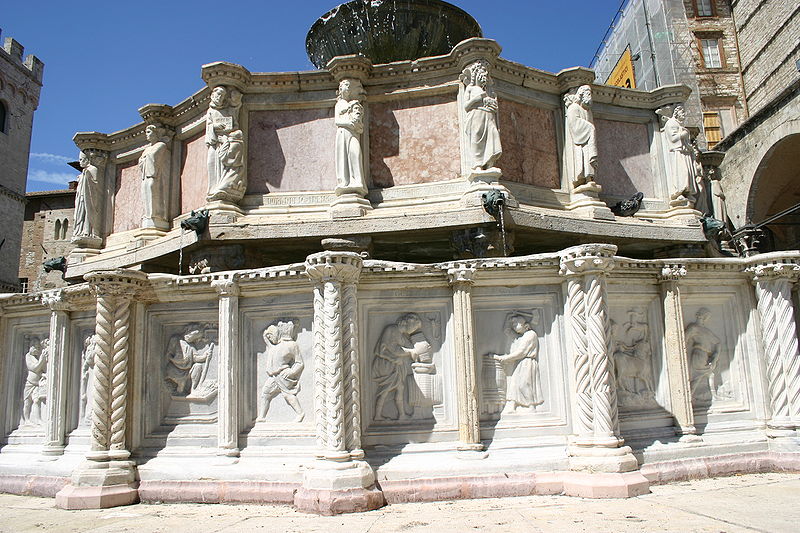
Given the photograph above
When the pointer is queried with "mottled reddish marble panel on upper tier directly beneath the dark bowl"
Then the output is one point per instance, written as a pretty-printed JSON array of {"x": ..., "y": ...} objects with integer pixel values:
[{"x": 414, "y": 141}]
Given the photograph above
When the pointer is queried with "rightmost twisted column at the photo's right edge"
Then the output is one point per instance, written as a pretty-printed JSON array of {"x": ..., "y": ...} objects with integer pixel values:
[{"x": 773, "y": 285}]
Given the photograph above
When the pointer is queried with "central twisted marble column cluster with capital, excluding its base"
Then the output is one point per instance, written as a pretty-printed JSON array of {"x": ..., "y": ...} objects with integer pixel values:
[{"x": 336, "y": 356}]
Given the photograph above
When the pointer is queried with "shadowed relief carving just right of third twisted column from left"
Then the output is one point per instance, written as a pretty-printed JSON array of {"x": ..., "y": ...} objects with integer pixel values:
[{"x": 633, "y": 359}]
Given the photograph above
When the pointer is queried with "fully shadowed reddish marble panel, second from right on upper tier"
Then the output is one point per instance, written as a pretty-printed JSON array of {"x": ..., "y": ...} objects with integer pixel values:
[{"x": 530, "y": 148}]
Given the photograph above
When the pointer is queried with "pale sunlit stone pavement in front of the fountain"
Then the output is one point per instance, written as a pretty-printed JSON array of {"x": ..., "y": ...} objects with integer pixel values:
[{"x": 760, "y": 502}]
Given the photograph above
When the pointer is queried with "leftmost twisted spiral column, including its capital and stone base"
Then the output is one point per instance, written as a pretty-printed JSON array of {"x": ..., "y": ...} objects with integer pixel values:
[{"x": 107, "y": 477}]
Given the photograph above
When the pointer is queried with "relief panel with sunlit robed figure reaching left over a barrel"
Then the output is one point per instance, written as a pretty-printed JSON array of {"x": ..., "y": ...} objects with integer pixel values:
[{"x": 519, "y": 345}]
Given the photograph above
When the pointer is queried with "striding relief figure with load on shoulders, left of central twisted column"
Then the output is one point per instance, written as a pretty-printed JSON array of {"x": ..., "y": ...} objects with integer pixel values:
[{"x": 284, "y": 367}]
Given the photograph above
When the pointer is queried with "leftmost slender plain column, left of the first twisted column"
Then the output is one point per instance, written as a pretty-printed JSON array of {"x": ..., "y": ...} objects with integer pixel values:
[{"x": 55, "y": 428}]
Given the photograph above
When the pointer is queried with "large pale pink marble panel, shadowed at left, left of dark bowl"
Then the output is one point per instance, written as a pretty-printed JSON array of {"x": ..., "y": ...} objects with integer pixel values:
[{"x": 291, "y": 150}]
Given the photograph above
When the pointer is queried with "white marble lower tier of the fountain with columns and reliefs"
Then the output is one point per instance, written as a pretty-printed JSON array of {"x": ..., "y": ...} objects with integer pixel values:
[{"x": 545, "y": 362}]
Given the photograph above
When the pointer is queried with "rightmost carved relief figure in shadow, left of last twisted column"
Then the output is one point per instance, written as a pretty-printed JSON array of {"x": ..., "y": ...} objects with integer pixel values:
[{"x": 702, "y": 346}]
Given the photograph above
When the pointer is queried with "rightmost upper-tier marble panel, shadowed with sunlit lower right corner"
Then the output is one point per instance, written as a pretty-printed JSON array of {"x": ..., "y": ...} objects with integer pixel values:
[{"x": 624, "y": 166}]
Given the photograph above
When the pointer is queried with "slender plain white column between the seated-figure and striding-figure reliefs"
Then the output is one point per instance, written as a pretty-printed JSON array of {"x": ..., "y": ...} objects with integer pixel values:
[{"x": 228, "y": 354}]
